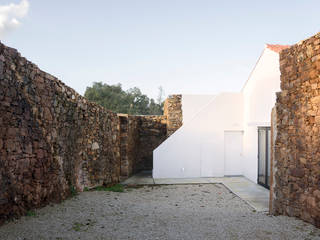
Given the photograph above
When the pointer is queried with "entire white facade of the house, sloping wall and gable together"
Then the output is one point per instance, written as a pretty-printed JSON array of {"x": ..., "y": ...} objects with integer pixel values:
[{"x": 219, "y": 133}]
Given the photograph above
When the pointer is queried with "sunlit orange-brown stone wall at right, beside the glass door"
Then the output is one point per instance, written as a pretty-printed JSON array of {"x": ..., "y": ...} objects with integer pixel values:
[{"x": 297, "y": 146}]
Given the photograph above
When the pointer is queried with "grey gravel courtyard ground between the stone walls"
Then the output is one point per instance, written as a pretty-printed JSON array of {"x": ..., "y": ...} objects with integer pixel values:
[{"x": 207, "y": 211}]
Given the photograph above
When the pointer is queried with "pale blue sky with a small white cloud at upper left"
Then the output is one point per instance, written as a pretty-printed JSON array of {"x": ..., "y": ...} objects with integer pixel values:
[{"x": 185, "y": 46}]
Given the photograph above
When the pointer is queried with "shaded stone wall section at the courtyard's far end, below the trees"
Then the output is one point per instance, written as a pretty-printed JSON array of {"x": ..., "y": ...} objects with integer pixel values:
[{"x": 140, "y": 135}]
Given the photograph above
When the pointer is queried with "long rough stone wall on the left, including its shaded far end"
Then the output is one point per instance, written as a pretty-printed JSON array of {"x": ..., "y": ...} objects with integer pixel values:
[{"x": 53, "y": 141}]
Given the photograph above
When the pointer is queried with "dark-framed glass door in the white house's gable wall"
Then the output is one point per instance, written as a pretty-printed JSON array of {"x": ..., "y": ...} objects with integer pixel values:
[{"x": 264, "y": 145}]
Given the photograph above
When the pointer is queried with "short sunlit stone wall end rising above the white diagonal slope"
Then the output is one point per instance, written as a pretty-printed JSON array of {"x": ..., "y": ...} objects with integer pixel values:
[{"x": 173, "y": 111}]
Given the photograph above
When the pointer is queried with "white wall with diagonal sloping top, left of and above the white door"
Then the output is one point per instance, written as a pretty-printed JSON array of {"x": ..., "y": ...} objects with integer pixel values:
[{"x": 197, "y": 148}]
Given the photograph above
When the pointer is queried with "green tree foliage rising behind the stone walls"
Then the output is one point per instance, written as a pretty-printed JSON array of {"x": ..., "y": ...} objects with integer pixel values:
[{"x": 132, "y": 101}]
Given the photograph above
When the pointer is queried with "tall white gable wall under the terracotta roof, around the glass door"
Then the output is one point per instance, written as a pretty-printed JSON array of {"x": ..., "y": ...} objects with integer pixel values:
[{"x": 259, "y": 98}]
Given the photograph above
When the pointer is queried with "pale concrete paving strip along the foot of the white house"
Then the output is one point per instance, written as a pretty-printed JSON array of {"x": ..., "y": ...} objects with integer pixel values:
[{"x": 255, "y": 195}]
